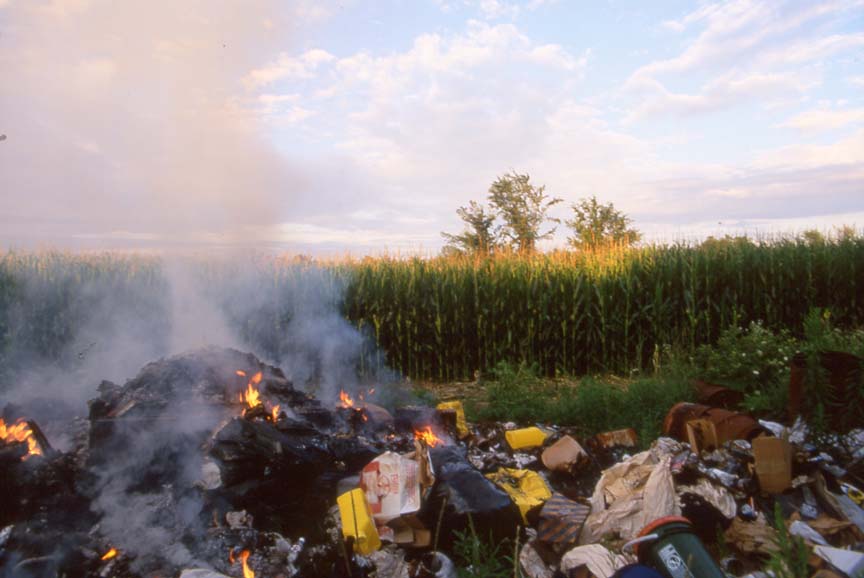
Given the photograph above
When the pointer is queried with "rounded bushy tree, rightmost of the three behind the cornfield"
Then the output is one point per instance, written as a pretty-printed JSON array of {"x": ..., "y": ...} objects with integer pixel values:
[{"x": 595, "y": 225}]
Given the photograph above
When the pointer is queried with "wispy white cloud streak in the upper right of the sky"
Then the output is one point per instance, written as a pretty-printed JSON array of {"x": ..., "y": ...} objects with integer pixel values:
[{"x": 748, "y": 49}]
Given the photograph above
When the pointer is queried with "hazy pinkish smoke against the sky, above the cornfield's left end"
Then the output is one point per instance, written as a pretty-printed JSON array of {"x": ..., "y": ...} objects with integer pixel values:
[{"x": 128, "y": 121}]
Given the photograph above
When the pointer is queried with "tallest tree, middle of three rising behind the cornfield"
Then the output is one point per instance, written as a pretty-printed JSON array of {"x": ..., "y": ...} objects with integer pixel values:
[{"x": 523, "y": 208}]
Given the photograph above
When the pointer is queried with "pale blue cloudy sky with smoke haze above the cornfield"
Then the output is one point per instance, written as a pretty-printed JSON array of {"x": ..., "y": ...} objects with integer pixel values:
[{"x": 361, "y": 126}]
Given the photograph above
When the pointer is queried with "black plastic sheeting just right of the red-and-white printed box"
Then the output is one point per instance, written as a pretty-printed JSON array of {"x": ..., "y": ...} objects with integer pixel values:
[{"x": 463, "y": 492}]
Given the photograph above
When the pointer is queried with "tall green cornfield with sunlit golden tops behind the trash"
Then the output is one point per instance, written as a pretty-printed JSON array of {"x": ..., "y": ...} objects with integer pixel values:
[{"x": 446, "y": 318}]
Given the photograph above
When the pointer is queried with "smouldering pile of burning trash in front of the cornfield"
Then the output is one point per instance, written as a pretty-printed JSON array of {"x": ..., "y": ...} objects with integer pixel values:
[{"x": 212, "y": 464}]
